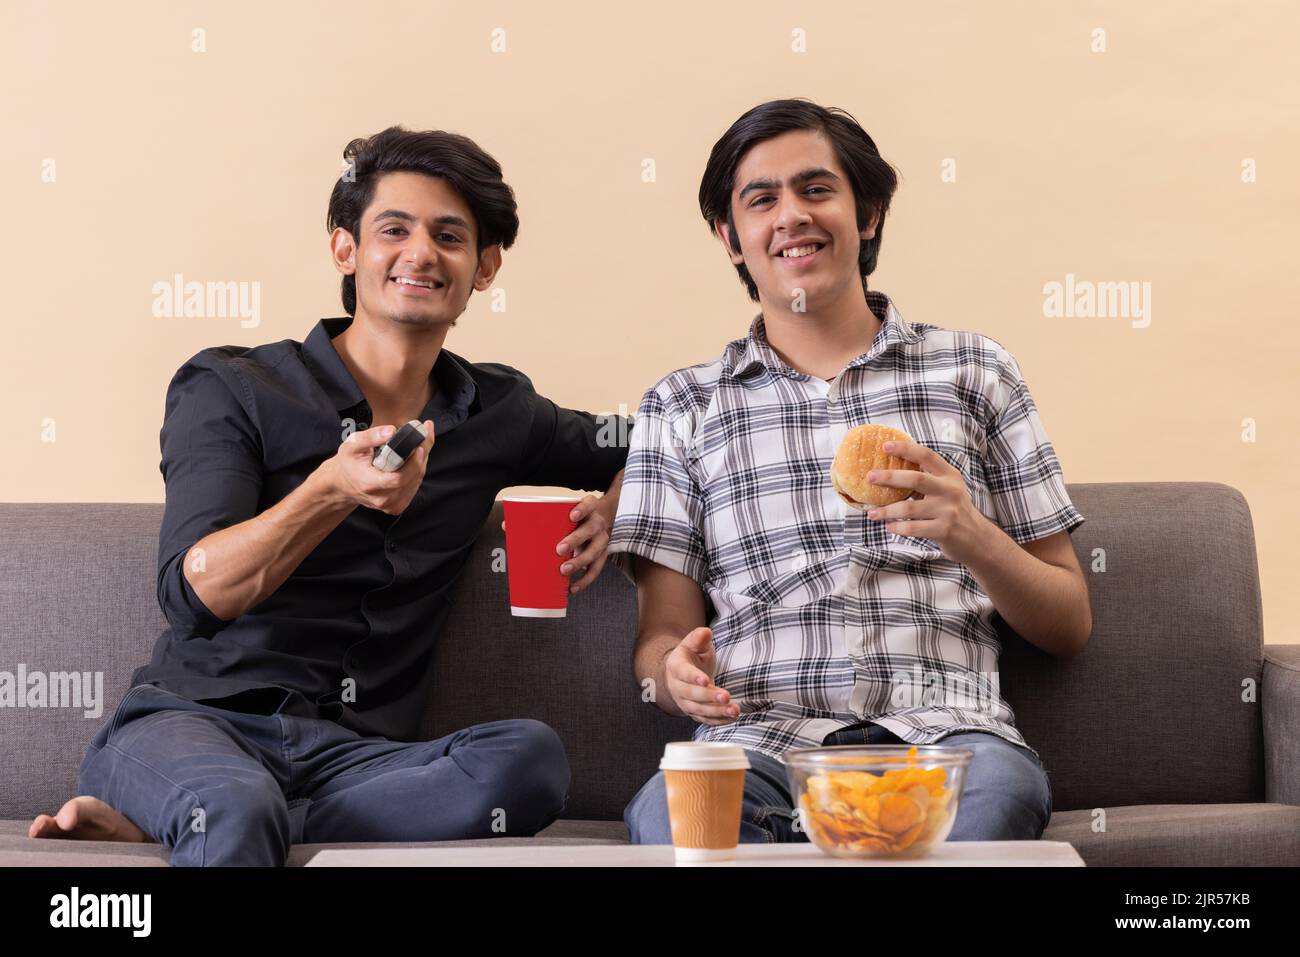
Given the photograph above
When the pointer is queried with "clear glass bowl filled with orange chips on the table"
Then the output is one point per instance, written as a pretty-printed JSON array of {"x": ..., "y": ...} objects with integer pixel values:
[{"x": 895, "y": 802}]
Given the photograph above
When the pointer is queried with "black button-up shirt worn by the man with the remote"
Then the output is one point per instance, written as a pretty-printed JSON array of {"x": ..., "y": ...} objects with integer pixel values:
[{"x": 246, "y": 426}]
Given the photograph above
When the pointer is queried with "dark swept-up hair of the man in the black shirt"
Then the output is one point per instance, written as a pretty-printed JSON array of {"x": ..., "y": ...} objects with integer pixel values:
[{"x": 460, "y": 161}]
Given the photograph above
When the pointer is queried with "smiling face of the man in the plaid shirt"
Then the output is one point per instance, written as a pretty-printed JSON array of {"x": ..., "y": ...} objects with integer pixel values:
[{"x": 796, "y": 223}]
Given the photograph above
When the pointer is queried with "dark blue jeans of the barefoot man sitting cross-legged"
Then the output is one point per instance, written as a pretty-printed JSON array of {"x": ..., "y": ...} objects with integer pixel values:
[{"x": 237, "y": 787}]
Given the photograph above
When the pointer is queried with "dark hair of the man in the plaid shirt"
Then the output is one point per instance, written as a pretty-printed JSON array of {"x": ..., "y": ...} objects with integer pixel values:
[{"x": 873, "y": 180}]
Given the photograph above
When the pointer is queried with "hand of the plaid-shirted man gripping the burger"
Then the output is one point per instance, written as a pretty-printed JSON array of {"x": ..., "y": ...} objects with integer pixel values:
[{"x": 943, "y": 510}]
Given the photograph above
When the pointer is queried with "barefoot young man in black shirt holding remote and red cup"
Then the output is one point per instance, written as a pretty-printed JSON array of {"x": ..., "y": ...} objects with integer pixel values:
[{"x": 305, "y": 588}]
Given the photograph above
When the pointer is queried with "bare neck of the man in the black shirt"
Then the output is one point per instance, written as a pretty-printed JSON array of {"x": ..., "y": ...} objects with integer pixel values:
[{"x": 391, "y": 362}]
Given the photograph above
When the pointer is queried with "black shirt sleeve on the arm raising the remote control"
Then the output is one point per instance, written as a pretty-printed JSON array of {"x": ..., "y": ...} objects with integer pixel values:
[{"x": 213, "y": 467}]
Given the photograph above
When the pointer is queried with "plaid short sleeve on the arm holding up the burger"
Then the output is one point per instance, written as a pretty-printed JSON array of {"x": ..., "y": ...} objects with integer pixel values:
[{"x": 1021, "y": 466}]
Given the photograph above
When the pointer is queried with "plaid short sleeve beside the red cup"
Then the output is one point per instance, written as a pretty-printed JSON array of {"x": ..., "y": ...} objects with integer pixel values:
[{"x": 661, "y": 508}]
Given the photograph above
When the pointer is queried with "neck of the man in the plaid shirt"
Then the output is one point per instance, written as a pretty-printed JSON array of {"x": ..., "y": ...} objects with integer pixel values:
[{"x": 825, "y": 340}]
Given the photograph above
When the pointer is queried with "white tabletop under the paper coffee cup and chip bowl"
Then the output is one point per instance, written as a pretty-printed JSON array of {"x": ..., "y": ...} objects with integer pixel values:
[{"x": 948, "y": 855}]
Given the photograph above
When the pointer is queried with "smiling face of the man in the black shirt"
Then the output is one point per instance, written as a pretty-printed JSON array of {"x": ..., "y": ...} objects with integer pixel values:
[{"x": 415, "y": 256}]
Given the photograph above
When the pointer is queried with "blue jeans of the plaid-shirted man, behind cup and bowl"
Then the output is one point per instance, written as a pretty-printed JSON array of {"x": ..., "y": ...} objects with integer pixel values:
[{"x": 1007, "y": 796}]
